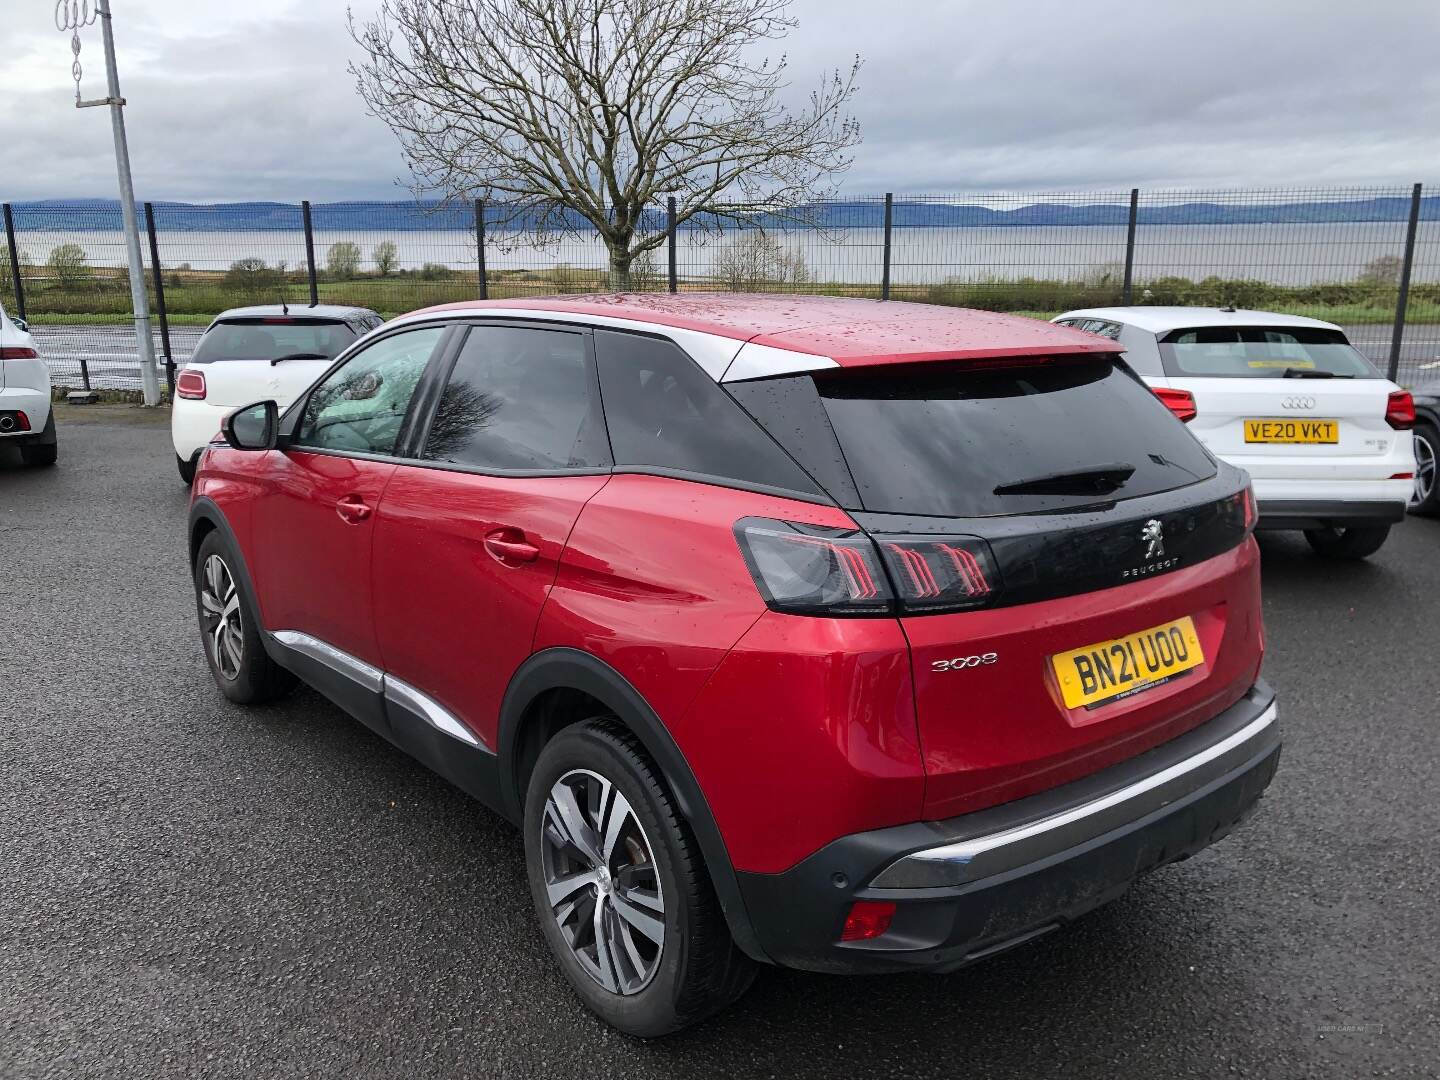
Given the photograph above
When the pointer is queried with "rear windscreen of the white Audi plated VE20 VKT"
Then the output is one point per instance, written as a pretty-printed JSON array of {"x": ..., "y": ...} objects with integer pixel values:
[{"x": 1262, "y": 354}]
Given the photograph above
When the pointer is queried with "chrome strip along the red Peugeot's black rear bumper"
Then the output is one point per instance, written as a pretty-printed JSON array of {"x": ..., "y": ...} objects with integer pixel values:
[{"x": 978, "y": 858}]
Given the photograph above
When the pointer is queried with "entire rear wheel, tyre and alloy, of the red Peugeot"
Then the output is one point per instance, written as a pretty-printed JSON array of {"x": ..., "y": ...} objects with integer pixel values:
[{"x": 598, "y": 814}]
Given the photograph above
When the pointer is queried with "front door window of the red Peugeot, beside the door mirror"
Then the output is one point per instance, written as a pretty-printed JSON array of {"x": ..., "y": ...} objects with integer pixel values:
[{"x": 361, "y": 407}]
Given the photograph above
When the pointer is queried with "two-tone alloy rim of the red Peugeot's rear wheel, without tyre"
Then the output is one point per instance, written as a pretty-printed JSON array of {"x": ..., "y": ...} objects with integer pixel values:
[{"x": 603, "y": 883}]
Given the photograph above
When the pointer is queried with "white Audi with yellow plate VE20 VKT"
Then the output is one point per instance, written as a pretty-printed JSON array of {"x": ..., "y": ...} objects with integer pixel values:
[{"x": 1323, "y": 434}]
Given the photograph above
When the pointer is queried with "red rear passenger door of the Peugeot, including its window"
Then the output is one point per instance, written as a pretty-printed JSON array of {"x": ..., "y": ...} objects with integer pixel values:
[{"x": 470, "y": 532}]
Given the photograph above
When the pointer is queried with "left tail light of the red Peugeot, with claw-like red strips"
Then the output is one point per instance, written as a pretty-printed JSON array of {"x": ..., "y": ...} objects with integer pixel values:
[{"x": 813, "y": 571}]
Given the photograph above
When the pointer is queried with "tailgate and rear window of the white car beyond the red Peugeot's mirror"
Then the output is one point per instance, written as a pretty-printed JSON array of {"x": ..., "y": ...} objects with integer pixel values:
[{"x": 273, "y": 358}]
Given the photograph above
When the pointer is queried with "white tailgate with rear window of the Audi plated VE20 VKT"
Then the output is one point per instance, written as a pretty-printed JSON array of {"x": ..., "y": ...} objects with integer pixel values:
[{"x": 1284, "y": 401}]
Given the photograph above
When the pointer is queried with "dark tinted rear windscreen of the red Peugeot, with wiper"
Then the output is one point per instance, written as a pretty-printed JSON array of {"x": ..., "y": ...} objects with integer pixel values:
[{"x": 961, "y": 441}]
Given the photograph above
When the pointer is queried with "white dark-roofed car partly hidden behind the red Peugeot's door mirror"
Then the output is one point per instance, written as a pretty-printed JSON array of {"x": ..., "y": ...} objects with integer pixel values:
[{"x": 250, "y": 355}]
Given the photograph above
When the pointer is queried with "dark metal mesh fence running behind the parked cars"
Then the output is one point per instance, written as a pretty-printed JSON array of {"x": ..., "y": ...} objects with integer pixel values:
[{"x": 1334, "y": 254}]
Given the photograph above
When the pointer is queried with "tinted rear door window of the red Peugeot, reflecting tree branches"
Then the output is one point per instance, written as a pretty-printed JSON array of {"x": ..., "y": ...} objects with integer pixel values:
[{"x": 519, "y": 400}]
